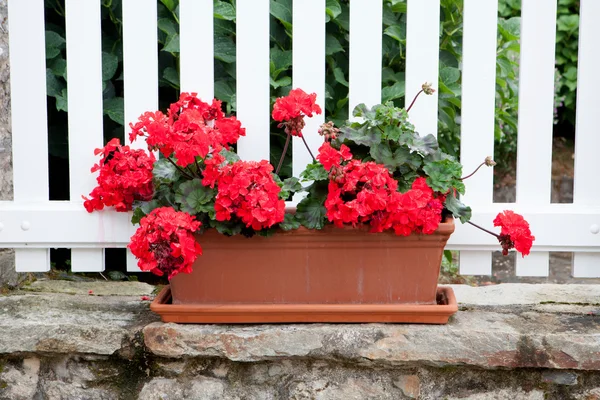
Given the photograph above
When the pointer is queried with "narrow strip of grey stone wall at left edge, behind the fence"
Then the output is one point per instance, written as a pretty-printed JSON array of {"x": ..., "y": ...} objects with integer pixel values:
[{"x": 8, "y": 276}]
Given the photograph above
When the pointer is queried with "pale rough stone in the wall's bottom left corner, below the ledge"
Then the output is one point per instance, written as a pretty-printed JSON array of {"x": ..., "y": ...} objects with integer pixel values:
[{"x": 20, "y": 383}]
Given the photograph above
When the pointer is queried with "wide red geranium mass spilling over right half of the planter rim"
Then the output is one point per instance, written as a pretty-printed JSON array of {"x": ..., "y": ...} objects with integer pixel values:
[{"x": 365, "y": 192}]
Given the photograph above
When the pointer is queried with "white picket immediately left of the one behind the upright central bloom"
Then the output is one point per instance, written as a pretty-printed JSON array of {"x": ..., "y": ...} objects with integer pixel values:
[{"x": 253, "y": 85}]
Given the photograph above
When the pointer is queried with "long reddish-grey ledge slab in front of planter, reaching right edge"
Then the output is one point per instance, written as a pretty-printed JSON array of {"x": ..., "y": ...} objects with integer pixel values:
[{"x": 514, "y": 338}]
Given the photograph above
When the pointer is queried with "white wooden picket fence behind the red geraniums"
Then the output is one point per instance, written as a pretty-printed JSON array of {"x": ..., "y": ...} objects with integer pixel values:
[{"x": 32, "y": 224}]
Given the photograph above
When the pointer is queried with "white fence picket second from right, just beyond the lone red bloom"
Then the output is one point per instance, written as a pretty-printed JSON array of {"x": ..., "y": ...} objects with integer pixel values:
[{"x": 536, "y": 104}]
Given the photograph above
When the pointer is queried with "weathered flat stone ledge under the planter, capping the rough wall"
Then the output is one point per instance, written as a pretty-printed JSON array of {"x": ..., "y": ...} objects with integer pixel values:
[{"x": 503, "y": 326}]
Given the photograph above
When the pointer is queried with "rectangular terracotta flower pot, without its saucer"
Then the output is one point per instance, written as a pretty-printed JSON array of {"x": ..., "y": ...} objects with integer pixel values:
[{"x": 332, "y": 266}]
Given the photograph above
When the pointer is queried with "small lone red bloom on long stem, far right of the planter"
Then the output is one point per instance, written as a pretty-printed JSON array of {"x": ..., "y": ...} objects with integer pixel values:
[{"x": 515, "y": 232}]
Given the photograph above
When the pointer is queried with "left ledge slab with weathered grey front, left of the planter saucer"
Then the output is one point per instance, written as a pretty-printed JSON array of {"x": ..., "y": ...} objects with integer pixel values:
[{"x": 60, "y": 323}]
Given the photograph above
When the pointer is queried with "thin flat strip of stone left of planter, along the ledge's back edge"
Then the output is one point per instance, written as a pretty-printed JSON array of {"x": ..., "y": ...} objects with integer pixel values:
[{"x": 98, "y": 288}]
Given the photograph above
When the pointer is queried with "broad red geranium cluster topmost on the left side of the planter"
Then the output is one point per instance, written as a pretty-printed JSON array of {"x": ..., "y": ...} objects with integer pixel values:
[{"x": 192, "y": 128}]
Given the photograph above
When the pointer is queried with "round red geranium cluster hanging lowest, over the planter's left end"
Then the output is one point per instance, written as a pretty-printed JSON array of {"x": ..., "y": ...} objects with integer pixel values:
[{"x": 165, "y": 243}]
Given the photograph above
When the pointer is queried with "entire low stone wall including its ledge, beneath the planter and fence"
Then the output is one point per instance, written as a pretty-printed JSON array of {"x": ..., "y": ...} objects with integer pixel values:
[{"x": 514, "y": 341}]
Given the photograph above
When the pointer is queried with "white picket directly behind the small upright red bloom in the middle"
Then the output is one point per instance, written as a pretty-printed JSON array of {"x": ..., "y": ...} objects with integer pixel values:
[{"x": 308, "y": 68}]
